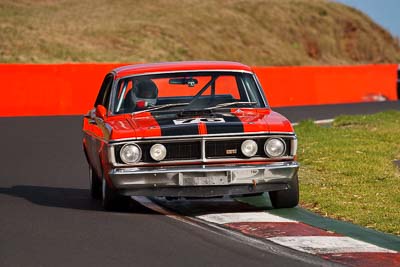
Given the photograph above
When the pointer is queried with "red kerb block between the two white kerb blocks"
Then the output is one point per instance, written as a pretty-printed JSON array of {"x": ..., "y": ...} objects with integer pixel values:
[{"x": 266, "y": 230}]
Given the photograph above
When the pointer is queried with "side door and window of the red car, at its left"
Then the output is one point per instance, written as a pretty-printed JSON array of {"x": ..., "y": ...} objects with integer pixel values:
[{"x": 95, "y": 136}]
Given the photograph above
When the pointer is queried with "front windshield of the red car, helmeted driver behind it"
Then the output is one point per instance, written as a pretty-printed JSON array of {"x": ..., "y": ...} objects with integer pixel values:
[{"x": 186, "y": 91}]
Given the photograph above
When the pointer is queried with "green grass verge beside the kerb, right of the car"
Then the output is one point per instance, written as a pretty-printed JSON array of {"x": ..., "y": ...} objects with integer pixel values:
[{"x": 347, "y": 170}]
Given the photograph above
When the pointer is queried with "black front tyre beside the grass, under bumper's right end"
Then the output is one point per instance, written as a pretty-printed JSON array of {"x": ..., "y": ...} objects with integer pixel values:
[{"x": 286, "y": 198}]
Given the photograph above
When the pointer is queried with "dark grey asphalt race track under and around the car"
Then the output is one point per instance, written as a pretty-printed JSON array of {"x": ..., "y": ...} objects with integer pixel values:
[{"x": 48, "y": 218}]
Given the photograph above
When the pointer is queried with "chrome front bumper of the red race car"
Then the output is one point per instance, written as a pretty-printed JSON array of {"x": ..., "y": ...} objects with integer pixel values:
[{"x": 203, "y": 180}]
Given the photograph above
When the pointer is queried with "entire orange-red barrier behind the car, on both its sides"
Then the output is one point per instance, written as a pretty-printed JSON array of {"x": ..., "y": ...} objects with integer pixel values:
[{"x": 70, "y": 89}]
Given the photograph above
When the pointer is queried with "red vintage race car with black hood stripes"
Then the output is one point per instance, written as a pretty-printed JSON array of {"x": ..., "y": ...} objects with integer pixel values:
[{"x": 188, "y": 129}]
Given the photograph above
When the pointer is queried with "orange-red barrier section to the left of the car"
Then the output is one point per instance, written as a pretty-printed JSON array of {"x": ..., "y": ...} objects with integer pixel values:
[{"x": 50, "y": 89}]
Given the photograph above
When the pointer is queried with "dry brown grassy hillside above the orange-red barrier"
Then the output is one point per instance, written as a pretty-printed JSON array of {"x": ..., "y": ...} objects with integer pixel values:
[{"x": 257, "y": 32}]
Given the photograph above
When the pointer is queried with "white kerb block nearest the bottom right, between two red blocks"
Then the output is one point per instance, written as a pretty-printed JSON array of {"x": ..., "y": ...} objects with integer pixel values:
[{"x": 327, "y": 244}]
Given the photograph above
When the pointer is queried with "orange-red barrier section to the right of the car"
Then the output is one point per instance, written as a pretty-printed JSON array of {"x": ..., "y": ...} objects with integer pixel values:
[{"x": 320, "y": 85}]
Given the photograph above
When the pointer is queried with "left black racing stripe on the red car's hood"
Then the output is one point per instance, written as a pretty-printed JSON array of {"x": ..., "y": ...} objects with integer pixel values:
[{"x": 168, "y": 127}]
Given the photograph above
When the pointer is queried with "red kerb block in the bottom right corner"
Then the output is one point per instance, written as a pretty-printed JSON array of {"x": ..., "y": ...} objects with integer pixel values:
[{"x": 365, "y": 259}]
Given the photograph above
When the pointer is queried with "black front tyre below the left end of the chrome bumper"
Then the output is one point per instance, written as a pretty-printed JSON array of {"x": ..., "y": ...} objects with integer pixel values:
[{"x": 111, "y": 200}]
